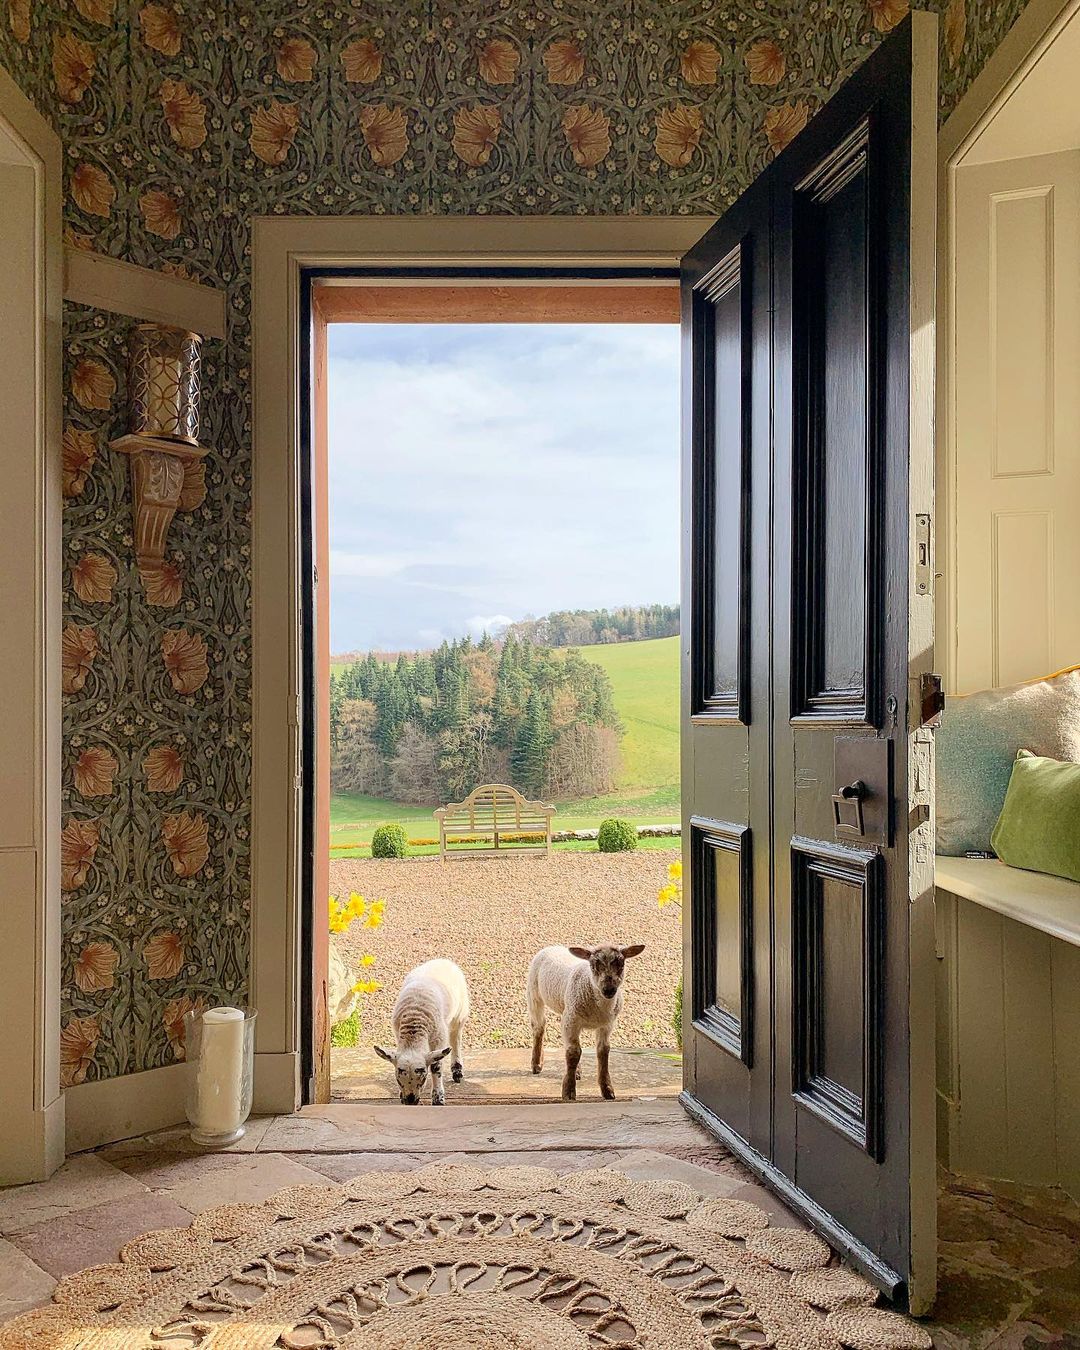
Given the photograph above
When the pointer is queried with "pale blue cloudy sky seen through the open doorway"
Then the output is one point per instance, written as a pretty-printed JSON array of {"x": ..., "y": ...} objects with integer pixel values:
[{"x": 488, "y": 472}]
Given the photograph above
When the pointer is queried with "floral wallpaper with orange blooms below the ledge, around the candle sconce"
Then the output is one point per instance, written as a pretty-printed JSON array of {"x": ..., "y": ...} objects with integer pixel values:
[{"x": 155, "y": 850}]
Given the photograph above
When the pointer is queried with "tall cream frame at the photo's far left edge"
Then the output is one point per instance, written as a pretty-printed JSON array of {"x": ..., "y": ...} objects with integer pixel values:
[{"x": 32, "y": 1145}]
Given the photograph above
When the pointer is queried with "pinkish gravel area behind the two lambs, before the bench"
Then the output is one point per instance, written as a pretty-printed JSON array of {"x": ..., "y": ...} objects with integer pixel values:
[{"x": 491, "y": 916}]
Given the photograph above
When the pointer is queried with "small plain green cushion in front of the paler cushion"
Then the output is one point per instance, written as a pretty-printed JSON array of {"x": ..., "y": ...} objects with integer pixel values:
[{"x": 1040, "y": 824}]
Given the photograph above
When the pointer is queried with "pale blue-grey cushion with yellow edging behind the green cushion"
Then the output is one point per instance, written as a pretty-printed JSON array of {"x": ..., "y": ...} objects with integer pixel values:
[{"x": 977, "y": 749}]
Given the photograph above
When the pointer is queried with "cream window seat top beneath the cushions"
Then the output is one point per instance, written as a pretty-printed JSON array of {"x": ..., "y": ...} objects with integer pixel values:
[{"x": 1048, "y": 904}]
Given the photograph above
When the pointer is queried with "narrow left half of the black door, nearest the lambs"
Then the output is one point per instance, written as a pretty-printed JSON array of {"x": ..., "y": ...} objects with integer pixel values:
[{"x": 727, "y": 334}]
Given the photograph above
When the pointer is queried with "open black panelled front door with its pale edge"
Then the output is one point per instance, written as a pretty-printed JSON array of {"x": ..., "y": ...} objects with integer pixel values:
[{"x": 808, "y": 318}]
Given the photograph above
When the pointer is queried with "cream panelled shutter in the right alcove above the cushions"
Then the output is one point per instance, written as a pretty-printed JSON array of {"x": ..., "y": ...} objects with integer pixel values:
[{"x": 1016, "y": 543}]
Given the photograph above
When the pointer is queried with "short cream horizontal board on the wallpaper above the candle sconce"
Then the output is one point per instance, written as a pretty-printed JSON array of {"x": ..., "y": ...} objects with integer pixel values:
[{"x": 121, "y": 288}]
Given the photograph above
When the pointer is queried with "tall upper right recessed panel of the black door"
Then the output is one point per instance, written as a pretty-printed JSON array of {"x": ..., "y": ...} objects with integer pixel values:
[{"x": 835, "y": 541}]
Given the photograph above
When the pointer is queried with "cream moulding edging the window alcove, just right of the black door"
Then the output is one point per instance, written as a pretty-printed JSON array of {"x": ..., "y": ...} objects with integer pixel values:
[{"x": 1015, "y": 59}]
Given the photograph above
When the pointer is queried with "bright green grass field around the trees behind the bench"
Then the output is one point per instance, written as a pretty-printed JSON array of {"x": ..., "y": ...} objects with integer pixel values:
[{"x": 646, "y": 684}]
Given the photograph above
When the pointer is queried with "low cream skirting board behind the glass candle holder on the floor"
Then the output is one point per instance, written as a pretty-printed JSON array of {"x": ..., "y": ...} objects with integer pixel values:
[{"x": 140, "y": 1104}]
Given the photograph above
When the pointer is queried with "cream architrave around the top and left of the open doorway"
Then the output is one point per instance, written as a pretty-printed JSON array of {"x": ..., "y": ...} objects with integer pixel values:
[{"x": 284, "y": 250}]
